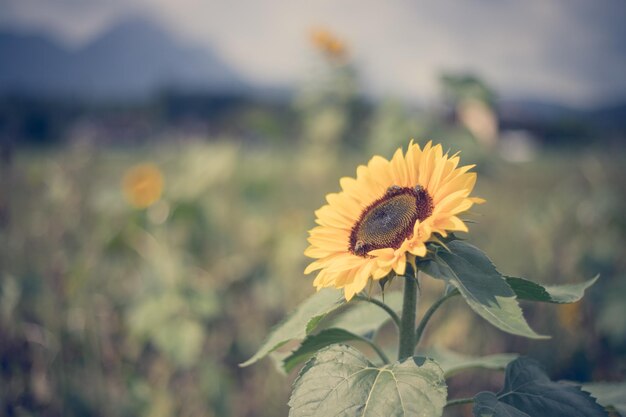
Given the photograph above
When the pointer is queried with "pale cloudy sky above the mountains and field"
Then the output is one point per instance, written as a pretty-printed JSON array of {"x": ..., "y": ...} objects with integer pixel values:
[{"x": 570, "y": 51}]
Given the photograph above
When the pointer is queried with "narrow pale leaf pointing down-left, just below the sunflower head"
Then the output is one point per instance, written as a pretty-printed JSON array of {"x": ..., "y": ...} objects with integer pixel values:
[{"x": 300, "y": 323}]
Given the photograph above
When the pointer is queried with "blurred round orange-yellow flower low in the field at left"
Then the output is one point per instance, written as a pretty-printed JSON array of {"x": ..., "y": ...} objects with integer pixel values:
[{"x": 143, "y": 185}]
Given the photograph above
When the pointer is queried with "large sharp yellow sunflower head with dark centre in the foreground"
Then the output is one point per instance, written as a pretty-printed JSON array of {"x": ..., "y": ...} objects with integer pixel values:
[{"x": 385, "y": 216}]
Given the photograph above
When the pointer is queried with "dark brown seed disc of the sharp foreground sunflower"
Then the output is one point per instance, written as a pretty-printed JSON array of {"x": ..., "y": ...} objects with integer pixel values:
[{"x": 388, "y": 221}]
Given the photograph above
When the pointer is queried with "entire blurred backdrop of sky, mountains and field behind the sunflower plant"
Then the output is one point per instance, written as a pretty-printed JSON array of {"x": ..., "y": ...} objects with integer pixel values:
[{"x": 161, "y": 162}]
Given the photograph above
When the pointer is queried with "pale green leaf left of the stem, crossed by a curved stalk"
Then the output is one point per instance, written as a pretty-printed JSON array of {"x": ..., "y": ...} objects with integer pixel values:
[{"x": 364, "y": 317}]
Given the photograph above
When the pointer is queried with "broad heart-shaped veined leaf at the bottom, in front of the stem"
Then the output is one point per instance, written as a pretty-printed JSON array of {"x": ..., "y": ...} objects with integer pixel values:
[{"x": 339, "y": 381}]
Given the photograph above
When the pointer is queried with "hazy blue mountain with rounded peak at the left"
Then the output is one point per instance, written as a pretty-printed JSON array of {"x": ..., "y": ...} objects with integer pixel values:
[{"x": 132, "y": 60}]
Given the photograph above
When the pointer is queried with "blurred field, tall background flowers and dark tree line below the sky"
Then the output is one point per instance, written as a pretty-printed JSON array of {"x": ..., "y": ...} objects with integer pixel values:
[{"x": 136, "y": 275}]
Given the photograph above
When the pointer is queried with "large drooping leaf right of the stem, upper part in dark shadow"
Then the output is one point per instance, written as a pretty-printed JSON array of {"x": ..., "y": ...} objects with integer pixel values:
[{"x": 481, "y": 285}]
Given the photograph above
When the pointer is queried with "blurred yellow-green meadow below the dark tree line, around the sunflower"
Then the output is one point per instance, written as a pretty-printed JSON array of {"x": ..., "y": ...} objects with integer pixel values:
[{"x": 112, "y": 310}]
